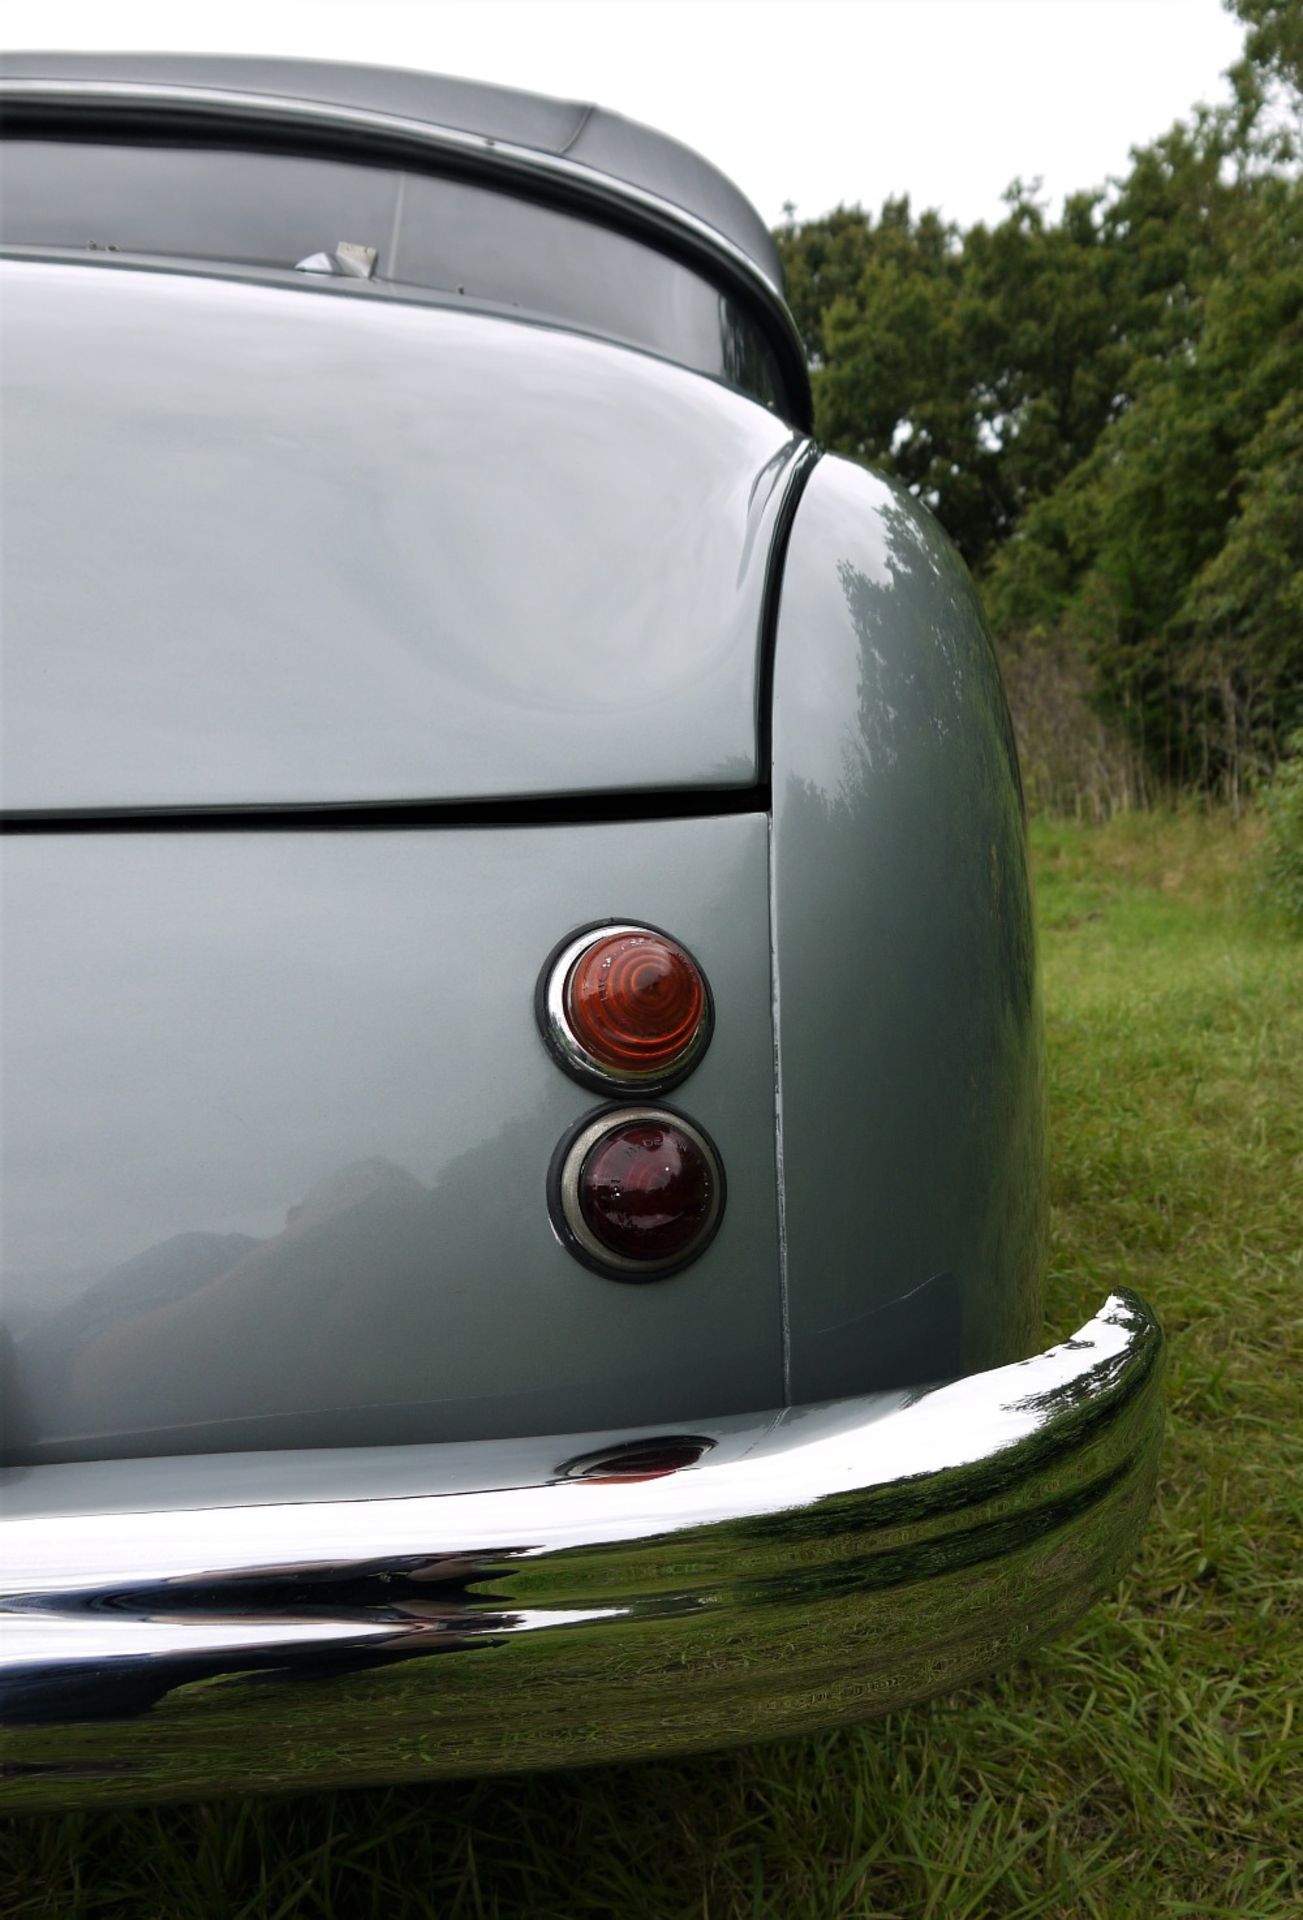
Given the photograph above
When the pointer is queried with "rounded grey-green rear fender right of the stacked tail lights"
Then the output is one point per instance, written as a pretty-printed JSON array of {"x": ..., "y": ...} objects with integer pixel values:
[{"x": 909, "y": 1022}]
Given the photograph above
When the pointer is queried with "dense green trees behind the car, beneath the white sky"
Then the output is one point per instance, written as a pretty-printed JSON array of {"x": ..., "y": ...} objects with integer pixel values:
[{"x": 1106, "y": 412}]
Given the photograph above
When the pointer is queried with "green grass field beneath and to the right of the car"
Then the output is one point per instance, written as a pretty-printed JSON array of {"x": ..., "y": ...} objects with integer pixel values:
[{"x": 1152, "y": 1765}]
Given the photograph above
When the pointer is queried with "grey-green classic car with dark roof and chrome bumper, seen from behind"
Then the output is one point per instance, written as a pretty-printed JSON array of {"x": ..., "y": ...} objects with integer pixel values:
[{"x": 523, "y": 1067}]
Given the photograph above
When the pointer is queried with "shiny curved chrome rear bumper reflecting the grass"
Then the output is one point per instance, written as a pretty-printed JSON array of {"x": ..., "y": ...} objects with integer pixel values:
[{"x": 256, "y": 1621}]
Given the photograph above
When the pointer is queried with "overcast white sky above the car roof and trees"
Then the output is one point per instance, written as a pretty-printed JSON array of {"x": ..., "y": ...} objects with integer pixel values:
[{"x": 807, "y": 101}]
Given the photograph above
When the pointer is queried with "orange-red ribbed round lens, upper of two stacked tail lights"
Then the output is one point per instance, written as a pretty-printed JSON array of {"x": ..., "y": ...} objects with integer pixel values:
[{"x": 636, "y": 1003}]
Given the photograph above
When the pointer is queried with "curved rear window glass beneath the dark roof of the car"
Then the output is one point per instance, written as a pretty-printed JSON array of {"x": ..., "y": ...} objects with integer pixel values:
[{"x": 433, "y": 237}]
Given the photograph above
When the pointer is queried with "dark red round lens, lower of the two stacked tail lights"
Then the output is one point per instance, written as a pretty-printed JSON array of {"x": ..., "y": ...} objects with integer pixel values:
[{"x": 648, "y": 1191}]
